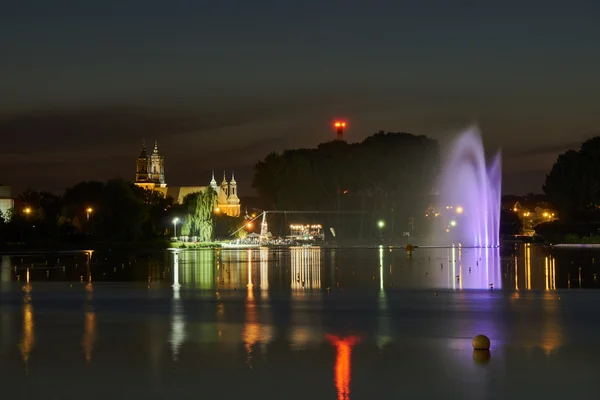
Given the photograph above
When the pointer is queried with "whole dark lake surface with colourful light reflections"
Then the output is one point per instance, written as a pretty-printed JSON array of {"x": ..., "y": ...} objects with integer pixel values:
[{"x": 301, "y": 323}]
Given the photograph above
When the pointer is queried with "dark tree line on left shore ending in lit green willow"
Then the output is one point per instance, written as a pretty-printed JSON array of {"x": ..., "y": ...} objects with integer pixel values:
[{"x": 115, "y": 212}]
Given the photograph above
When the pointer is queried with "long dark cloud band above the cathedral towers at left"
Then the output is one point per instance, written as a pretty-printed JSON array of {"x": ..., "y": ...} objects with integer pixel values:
[{"x": 66, "y": 129}]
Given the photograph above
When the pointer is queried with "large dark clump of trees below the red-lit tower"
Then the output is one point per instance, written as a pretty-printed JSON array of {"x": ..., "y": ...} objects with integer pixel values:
[{"x": 388, "y": 176}]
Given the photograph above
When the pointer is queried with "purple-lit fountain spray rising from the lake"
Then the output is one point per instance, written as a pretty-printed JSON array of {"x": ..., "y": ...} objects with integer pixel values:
[{"x": 470, "y": 193}]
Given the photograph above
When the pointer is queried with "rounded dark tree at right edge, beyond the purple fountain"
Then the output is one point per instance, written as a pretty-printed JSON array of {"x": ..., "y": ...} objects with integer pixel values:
[{"x": 573, "y": 184}]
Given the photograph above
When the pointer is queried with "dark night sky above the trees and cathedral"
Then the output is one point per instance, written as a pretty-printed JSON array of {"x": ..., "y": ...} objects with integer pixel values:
[{"x": 222, "y": 83}]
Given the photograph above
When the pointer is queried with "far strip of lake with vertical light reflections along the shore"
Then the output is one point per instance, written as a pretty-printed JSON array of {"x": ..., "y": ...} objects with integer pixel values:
[{"x": 520, "y": 267}]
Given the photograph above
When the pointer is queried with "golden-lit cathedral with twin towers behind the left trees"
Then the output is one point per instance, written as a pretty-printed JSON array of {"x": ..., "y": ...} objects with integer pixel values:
[{"x": 150, "y": 174}]
